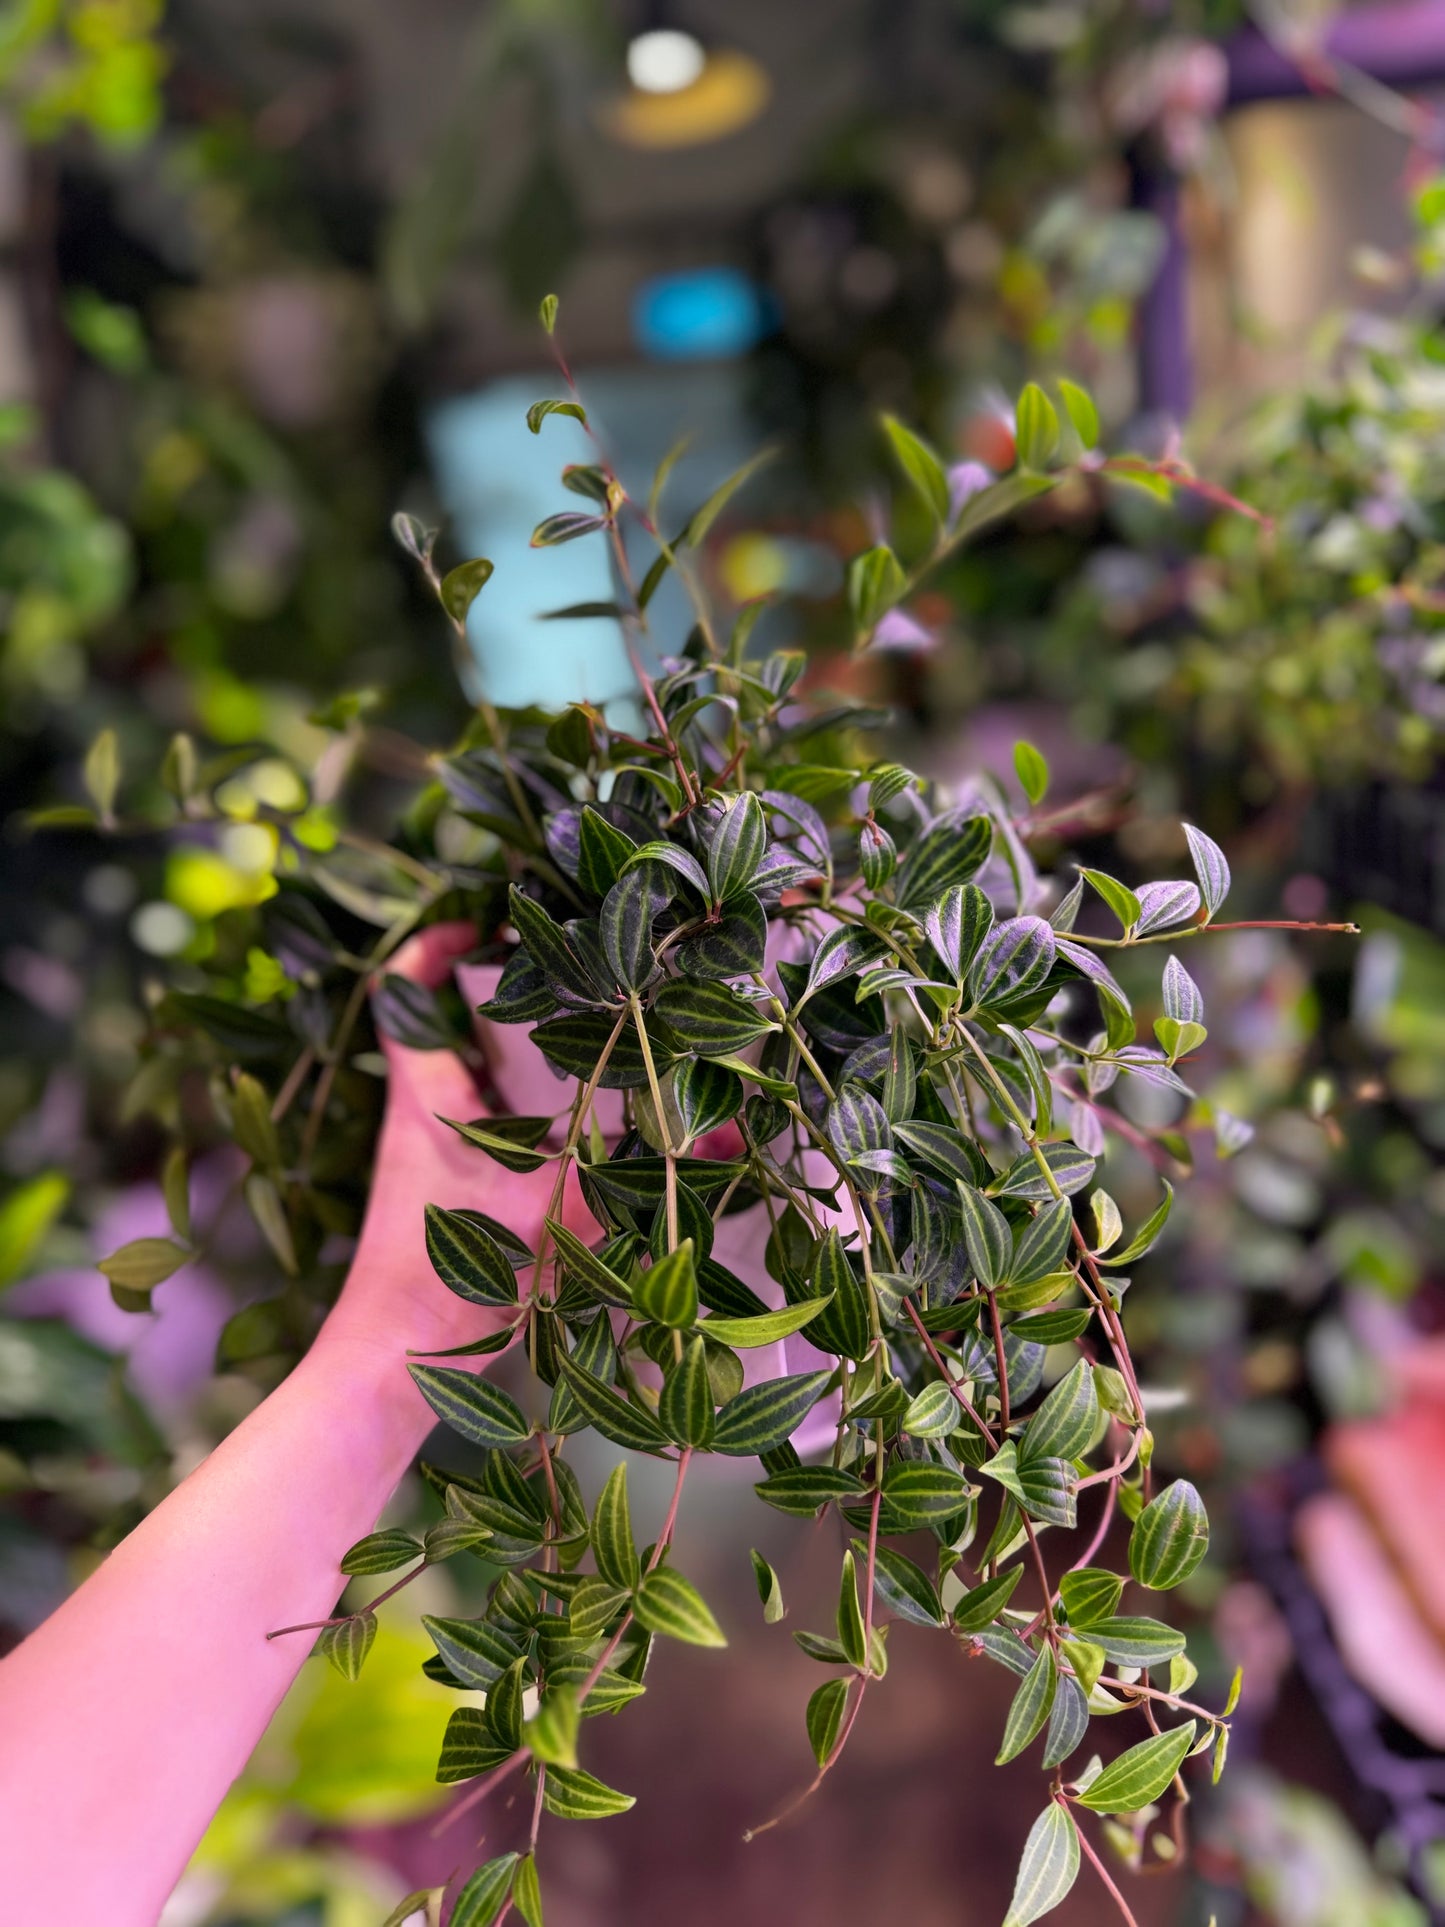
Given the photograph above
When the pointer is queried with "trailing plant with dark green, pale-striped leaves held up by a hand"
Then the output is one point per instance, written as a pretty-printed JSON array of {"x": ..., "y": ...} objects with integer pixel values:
[{"x": 774, "y": 976}]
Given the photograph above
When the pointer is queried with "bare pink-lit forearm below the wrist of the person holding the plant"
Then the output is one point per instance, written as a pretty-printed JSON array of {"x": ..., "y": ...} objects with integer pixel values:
[{"x": 130, "y": 1712}]
